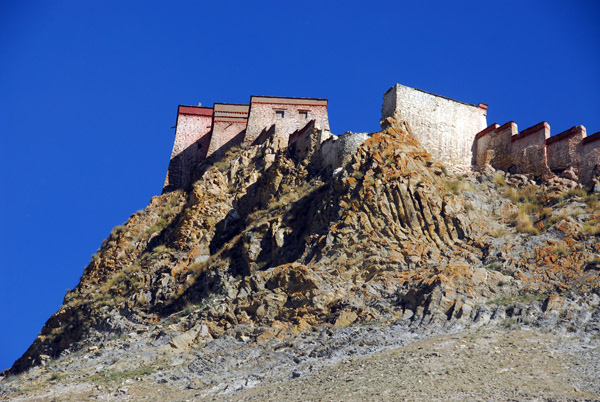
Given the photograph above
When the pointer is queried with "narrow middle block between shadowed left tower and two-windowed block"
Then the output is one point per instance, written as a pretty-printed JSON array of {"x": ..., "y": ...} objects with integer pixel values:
[{"x": 229, "y": 125}]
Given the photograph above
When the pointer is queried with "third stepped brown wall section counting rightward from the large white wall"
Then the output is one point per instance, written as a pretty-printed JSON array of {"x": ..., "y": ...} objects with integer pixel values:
[{"x": 564, "y": 149}]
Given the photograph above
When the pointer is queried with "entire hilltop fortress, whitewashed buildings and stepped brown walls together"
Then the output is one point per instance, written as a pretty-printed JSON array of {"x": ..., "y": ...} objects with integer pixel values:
[{"x": 454, "y": 132}]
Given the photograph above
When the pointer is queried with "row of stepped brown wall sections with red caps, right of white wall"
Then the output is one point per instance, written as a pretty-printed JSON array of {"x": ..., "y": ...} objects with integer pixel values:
[{"x": 534, "y": 151}]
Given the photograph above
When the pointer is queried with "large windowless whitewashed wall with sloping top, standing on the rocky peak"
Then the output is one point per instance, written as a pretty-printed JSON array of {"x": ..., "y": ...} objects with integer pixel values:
[{"x": 445, "y": 127}]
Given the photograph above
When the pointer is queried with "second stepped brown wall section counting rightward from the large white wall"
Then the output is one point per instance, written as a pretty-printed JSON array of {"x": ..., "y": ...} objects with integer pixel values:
[{"x": 528, "y": 149}]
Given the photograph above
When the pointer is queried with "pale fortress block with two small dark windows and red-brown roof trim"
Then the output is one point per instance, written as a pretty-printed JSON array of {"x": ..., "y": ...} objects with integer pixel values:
[{"x": 287, "y": 114}]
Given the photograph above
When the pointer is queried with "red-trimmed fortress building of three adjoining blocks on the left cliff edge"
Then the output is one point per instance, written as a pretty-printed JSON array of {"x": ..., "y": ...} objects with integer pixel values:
[{"x": 208, "y": 132}]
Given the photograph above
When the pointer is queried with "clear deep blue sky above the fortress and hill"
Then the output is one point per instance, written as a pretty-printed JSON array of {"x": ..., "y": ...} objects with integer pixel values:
[{"x": 89, "y": 91}]
